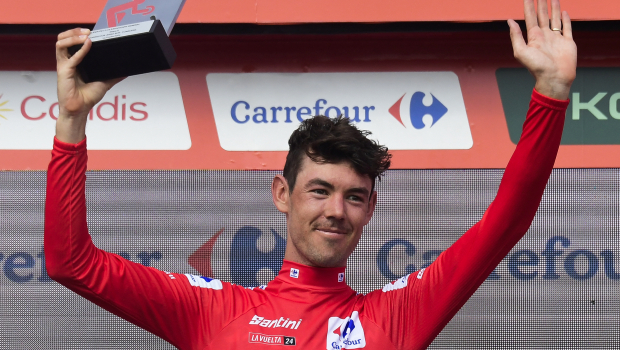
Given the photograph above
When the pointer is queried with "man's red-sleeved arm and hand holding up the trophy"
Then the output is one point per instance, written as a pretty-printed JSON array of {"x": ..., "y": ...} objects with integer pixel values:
[{"x": 169, "y": 305}]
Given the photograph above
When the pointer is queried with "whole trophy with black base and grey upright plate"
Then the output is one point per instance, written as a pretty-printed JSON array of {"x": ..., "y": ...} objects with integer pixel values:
[{"x": 130, "y": 37}]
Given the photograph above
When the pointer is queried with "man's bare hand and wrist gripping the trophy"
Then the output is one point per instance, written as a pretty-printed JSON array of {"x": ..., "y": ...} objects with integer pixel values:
[{"x": 75, "y": 98}]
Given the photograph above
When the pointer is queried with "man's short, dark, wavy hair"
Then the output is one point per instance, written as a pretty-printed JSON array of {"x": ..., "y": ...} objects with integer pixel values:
[{"x": 335, "y": 140}]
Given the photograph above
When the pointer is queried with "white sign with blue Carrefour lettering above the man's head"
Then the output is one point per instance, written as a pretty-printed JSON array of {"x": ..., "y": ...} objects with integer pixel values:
[{"x": 403, "y": 110}]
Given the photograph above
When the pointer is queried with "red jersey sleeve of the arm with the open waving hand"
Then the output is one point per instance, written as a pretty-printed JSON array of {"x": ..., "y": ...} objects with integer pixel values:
[{"x": 433, "y": 296}]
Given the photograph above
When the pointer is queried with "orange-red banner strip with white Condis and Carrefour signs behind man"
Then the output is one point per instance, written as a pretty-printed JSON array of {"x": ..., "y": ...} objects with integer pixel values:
[{"x": 244, "y": 120}]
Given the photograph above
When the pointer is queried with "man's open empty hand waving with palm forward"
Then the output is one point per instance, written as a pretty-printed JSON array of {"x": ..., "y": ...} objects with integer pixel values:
[{"x": 550, "y": 53}]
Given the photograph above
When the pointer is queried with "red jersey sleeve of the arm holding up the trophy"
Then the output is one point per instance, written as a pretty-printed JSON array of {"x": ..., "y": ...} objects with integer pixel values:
[{"x": 142, "y": 295}]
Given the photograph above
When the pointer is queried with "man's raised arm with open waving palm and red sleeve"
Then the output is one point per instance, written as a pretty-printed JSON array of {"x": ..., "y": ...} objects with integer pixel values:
[{"x": 427, "y": 300}]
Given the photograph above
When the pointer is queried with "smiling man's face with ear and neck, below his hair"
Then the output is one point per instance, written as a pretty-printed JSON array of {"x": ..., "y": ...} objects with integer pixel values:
[{"x": 326, "y": 212}]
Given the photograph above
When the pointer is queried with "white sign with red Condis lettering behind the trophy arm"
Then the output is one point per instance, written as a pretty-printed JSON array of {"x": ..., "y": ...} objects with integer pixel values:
[{"x": 144, "y": 112}]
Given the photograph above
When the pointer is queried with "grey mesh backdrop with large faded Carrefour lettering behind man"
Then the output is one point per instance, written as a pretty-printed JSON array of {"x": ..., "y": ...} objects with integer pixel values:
[{"x": 558, "y": 288}]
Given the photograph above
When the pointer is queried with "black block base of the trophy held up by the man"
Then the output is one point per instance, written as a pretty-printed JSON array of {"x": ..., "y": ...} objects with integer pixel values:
[{"x": 123, "y": 55}]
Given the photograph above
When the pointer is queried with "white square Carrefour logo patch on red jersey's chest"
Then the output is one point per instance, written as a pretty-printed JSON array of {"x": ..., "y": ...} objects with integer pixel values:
[{"x": 345, "y": 333}]
